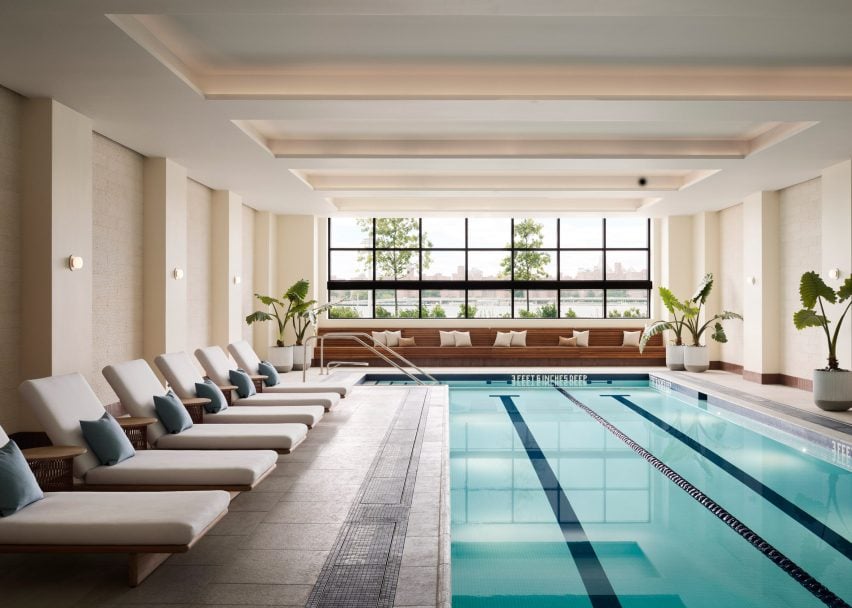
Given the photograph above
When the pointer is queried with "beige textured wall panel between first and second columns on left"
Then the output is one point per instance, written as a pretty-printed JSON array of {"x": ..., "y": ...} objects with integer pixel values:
[{"x": 117, "y": 260}]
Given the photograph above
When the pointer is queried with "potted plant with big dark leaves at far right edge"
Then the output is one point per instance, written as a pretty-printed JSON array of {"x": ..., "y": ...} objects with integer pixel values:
[{"x": 832, "y": 385}]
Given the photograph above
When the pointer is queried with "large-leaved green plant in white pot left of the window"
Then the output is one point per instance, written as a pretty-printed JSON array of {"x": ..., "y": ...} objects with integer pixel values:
[{"x": 292, "y": 308}]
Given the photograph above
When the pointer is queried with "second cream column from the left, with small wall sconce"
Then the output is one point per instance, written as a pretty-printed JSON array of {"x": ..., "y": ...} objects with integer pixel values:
[{"x": 165, "y": 254}]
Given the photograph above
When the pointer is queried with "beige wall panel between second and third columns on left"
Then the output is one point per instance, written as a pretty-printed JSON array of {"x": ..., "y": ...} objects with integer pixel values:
[{"x": 199, "y": 234}]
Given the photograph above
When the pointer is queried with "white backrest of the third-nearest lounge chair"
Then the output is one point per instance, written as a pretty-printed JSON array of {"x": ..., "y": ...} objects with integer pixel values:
[{"x": 136, "y": 384}]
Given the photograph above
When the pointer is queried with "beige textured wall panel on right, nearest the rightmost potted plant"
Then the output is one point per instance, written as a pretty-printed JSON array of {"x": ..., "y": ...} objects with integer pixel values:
[{"x": 800, "y": 220}]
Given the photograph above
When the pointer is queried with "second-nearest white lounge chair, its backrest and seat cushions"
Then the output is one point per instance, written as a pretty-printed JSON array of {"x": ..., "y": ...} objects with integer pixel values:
[{"x": 61, "y": 402}]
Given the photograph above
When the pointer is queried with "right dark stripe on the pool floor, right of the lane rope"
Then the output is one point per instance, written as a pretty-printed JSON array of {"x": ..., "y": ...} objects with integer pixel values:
[{"x": 795, "y": 512}]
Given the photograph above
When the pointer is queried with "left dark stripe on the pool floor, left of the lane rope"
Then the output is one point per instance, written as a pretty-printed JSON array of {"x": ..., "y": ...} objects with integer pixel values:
[{"x": 598, "y": 588}]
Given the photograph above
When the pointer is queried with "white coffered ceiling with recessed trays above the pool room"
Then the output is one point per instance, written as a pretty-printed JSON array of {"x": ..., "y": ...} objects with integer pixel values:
[{"x": 420, "y": 106}]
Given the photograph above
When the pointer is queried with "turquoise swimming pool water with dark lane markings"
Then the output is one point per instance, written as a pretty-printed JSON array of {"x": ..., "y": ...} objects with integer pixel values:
[{"x": 615, "y": 494}]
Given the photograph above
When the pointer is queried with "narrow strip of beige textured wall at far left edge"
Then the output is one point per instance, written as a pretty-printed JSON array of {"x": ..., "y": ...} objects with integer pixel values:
[{"x": 11, "y": 115}]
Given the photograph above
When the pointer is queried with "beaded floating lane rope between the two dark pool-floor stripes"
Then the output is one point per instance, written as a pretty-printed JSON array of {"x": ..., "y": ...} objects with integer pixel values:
[{"x": 796, "y": 572}]
